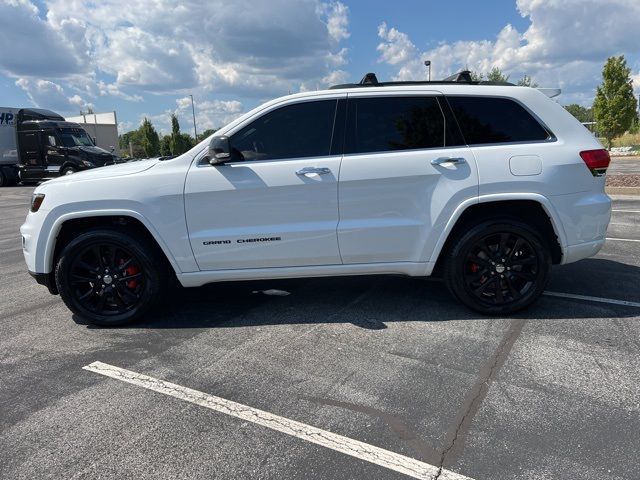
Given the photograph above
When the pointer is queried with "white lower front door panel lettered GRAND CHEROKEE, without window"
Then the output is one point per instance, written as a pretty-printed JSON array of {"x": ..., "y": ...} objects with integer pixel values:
[{"x": 263, "y": 214}]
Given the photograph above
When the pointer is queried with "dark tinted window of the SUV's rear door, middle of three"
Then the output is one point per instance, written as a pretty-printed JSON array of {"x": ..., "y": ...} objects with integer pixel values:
[{"x": 394, "y": 123}]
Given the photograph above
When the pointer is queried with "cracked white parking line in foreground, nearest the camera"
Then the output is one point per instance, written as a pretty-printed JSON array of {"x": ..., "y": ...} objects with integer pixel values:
[{"x": 363, "y": 451}]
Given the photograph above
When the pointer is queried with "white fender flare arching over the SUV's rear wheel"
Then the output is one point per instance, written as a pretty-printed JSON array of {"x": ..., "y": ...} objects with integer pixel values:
[{"x": 544, "y": 202}]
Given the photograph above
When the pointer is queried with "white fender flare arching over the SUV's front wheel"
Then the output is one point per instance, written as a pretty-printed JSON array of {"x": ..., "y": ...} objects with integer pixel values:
[{"x": 52, "y": 236}]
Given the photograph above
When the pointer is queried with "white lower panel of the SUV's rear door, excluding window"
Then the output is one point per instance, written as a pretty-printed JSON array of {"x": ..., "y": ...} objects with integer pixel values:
[{"x": 393, "y": 206}]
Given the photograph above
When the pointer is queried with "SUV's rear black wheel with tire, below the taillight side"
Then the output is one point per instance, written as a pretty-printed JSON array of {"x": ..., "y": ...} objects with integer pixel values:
[{"x": 498, "y": 267}]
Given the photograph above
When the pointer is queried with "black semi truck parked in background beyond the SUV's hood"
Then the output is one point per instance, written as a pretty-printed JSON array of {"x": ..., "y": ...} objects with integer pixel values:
[{"x": 37, "y": 144}]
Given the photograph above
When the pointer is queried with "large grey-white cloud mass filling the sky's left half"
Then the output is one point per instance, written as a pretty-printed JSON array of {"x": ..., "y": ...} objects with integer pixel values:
[{"x": 161, "y": 46}]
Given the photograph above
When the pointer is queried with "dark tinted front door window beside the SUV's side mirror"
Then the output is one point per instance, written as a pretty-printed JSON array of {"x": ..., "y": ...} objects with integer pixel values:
[{"x": 294, "y": 131}]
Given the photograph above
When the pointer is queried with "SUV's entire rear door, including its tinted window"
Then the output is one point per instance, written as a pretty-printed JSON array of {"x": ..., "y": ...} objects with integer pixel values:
[{"x": 394, "y": 204}]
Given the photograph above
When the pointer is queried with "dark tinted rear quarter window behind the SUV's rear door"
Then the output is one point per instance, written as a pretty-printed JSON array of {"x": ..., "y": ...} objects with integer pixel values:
[{"x": 495, "y": 120}]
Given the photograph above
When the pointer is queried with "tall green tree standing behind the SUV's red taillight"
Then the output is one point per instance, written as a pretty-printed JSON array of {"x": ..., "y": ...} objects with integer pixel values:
[{"x": 614, "y": 107}]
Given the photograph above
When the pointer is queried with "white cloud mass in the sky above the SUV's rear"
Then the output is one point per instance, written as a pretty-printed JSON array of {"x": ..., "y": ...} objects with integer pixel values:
[{"x": 566, "y": 45}]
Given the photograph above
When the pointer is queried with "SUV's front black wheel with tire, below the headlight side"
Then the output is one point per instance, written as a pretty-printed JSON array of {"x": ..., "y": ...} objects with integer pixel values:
[{"x": 110, "y": 278}]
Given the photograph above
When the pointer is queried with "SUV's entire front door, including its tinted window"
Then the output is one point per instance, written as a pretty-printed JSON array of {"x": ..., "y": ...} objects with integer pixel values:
[{"x": 276, "y": 203}]
